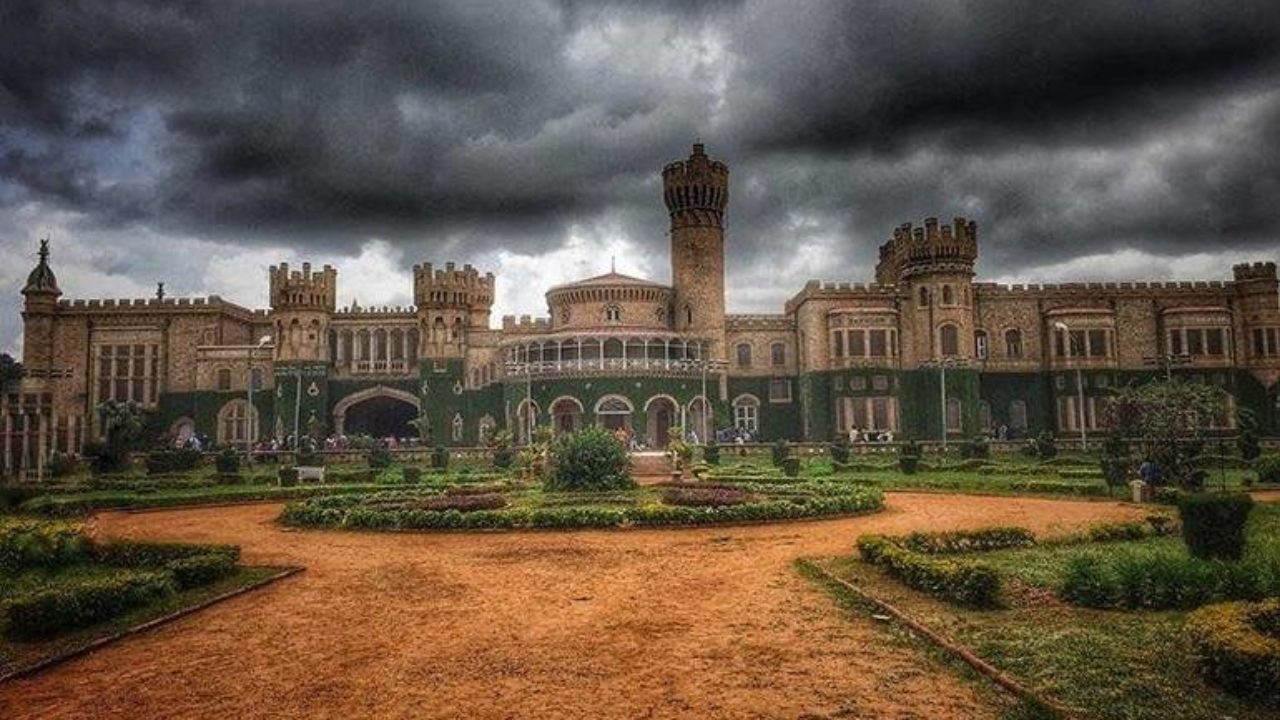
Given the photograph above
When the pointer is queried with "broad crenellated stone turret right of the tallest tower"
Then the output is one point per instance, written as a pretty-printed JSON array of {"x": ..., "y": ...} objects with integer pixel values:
[{"x": 935, "y": 267}]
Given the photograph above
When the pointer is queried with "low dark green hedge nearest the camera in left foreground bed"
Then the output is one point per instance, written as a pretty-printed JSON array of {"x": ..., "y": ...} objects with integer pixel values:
[{"x": 58, "y": 610}]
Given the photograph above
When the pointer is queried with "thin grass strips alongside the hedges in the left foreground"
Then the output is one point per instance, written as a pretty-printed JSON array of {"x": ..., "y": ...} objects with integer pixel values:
[{"x": 19, "y": 655}]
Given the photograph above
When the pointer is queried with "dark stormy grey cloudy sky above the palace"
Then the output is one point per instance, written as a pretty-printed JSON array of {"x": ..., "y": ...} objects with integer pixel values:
[{"x": 198, "y": 143}]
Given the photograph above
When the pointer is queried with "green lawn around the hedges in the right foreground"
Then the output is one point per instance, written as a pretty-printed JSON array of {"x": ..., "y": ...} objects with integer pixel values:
[{"x": 1107, "y": 664}]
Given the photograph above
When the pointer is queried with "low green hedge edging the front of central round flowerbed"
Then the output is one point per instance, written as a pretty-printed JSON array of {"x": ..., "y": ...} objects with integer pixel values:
[{"x": 349, "y": 512}]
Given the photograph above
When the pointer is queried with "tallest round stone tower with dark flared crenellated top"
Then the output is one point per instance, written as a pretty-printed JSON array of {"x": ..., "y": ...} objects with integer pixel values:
[{"x": 697, "y": 194}]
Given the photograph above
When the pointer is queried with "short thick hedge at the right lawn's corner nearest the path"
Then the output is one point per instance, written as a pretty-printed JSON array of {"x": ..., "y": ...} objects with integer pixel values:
[{"x": 963, "y": 582}]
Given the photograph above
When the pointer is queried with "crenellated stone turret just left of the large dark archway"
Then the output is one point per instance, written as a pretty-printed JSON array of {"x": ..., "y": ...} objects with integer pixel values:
[{"x": 303, "y": 302}]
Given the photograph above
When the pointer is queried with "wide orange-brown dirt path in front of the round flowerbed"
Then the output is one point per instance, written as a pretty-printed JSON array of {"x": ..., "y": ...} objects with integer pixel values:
[{"x": 700, "y": 623}]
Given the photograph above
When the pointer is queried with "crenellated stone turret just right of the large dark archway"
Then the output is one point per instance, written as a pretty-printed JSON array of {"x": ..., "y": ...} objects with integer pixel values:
[{"x": 451, "y": 303}]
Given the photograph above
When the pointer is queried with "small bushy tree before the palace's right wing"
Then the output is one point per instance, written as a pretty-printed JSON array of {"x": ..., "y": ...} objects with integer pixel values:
[{"x": 1168, "y": 421}]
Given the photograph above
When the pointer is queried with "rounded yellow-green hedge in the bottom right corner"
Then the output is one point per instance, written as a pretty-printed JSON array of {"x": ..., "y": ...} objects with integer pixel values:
[{"x": 1240, "y": 646}]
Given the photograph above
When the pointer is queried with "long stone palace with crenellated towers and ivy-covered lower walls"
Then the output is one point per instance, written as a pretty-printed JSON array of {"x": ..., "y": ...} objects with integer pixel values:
[{"x": 627, "y": 352}]
